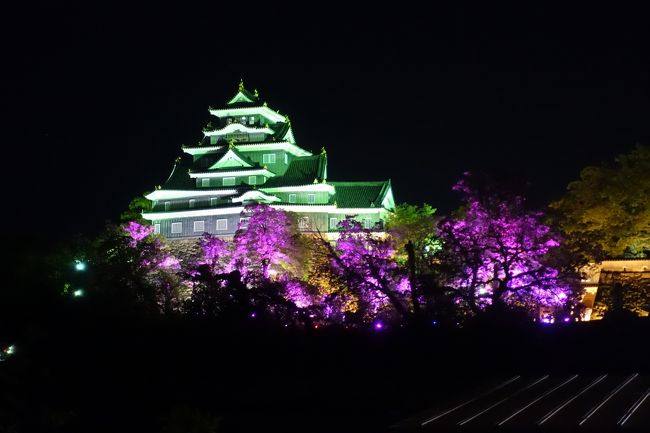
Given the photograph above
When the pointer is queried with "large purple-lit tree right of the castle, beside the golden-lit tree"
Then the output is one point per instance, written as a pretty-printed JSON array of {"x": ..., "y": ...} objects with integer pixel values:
[{"x": 495, "y": 254}]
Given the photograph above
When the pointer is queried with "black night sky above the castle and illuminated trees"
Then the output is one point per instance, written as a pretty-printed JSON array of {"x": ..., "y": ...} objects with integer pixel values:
[{"x": 96, "y": 103}]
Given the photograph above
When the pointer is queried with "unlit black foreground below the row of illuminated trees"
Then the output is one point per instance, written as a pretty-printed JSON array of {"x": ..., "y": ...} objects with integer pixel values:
[{"x": 78, "y": 371}]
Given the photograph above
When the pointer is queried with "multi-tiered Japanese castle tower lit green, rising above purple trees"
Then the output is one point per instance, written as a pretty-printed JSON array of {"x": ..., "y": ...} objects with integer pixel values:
[{"x": 249, "y": 155}]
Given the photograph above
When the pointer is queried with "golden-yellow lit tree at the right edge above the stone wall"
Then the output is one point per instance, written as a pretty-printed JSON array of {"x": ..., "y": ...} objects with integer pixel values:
[{"x": 606, "y": 213}]
